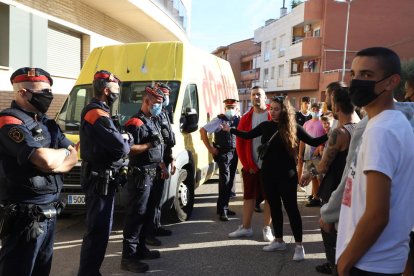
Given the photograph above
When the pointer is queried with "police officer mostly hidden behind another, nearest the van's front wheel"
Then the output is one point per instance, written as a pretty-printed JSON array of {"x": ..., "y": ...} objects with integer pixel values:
[{"x": 154, "y": 228}]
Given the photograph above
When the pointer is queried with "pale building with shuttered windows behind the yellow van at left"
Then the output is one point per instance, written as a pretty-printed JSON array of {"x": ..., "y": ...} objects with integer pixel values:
[{"x": 58, "y": 35}]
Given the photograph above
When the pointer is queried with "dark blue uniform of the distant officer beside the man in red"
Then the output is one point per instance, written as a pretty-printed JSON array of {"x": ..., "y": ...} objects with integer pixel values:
[{"x": 227, "y": 160}]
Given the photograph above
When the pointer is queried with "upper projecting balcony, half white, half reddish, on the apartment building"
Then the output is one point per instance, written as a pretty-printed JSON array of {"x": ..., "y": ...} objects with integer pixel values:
[{"x": 306, "y": 47}]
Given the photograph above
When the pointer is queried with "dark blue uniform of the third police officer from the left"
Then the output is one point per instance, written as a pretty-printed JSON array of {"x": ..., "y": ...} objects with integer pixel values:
[{"x": 141, "y": 175}]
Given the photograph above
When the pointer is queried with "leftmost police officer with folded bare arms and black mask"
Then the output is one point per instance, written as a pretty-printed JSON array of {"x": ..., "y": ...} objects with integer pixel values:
[{"x": 33, "y": 155}]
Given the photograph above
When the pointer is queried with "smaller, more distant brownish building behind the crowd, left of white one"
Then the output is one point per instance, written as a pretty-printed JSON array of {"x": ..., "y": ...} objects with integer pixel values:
[{"x": 242, "y": 56}]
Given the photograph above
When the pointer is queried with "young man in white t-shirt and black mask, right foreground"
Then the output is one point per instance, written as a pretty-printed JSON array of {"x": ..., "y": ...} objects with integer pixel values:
[{"x": 376, "y": 213}]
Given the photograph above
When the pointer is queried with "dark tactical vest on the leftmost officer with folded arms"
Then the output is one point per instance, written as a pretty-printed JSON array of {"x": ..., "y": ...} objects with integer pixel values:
[{"x": 22, "y": 182}]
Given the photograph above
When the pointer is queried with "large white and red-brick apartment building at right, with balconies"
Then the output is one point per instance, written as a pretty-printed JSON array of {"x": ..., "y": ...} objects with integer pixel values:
[{"x": 303, "y": 51}]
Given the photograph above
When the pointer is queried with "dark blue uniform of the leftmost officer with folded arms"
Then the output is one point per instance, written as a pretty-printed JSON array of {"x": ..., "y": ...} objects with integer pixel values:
[{"x": 28, "y": 248}]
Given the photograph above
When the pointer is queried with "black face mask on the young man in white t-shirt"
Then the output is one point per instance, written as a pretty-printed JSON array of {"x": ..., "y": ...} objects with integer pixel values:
[{"x": 362, "y": 92}]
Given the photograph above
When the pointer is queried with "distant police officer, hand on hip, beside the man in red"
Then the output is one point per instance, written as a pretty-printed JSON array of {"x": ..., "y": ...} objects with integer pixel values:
[{"x": 223, "y": 151}]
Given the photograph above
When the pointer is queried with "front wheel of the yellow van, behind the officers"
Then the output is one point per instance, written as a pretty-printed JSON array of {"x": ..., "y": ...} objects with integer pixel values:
[{"x": 184, "y": 197}]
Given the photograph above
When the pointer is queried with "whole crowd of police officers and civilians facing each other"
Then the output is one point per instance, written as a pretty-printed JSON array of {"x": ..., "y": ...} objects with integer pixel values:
[{"x": 361, "y": 170}]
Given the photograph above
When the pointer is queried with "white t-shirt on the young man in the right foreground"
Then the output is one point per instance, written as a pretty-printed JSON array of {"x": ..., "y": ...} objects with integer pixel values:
[{"x": 387, "y": 146}]
